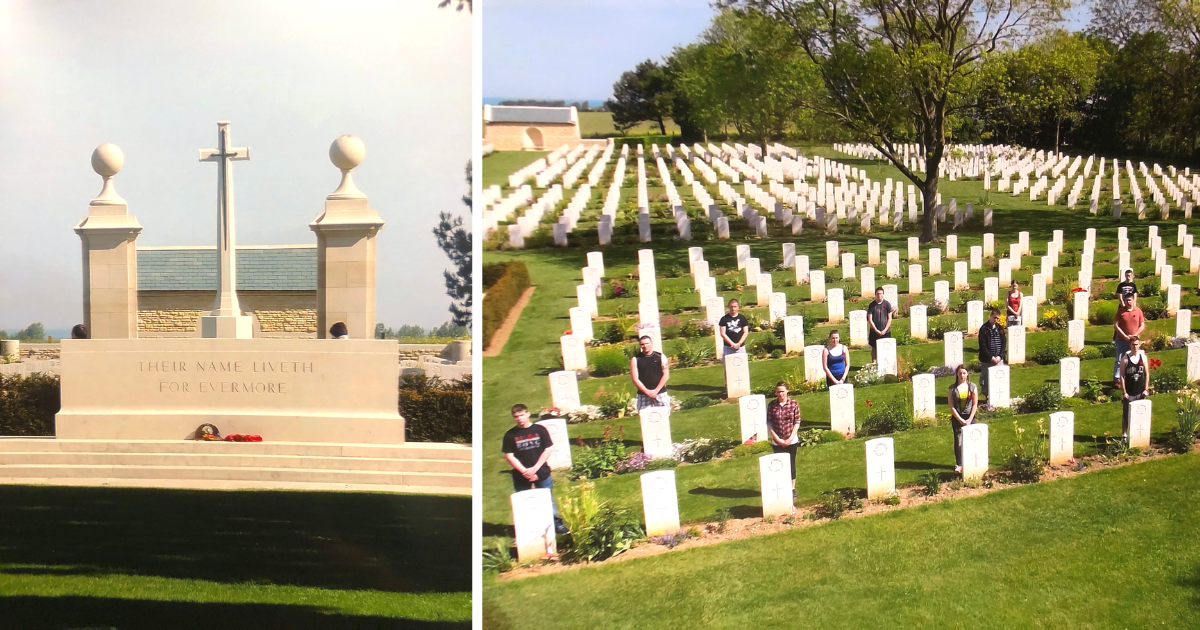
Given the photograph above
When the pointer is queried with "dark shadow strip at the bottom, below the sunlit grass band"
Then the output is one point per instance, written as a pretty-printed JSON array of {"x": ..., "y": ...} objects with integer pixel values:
[{"x": 32, "y": 613}]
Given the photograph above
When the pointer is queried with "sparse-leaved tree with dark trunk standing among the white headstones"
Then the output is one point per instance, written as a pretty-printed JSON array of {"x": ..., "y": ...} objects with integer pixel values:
[{"x": 902, "y": 71}]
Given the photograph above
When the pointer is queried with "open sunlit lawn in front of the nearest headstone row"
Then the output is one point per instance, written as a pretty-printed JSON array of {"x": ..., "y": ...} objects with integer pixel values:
[{"x": 1114, "y": 549}]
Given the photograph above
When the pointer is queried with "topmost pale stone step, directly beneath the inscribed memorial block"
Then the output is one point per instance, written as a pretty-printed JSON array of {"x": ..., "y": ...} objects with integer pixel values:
[{"x": 412, "y": 451}]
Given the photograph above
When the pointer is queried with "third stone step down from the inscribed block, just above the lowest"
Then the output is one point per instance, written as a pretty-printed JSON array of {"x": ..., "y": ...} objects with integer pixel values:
[{"x": 259, "y": 475}]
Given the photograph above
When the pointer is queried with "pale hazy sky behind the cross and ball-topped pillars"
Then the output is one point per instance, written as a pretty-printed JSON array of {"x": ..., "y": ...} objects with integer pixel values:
[{"x": 290, "y": 75}]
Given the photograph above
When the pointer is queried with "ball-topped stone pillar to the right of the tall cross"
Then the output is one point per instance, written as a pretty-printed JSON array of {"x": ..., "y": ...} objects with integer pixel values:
[{"x": 346, "y": 250}]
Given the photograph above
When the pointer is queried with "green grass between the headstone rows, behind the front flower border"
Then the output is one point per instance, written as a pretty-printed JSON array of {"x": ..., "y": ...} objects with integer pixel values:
[{"x": 519, "y": 374}]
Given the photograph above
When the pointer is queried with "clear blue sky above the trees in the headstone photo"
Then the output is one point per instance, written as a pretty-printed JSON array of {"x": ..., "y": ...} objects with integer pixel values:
[{"x": 575, "y": 50}]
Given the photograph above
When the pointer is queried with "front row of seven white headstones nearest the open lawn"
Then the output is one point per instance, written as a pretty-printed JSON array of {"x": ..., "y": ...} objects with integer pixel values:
[{"x": 533, "y": 513}]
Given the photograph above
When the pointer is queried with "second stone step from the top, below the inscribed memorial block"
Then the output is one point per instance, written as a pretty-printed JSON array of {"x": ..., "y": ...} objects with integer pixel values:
[{"x": 235, "y": 461}]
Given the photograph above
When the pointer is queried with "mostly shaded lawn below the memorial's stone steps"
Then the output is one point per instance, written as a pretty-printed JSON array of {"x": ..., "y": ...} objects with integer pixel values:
[{"x": 167, "y": 559}]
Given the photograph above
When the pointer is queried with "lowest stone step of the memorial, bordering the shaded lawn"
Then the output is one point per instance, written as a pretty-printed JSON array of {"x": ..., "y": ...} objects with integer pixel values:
[{"x": 232, "y": 484}]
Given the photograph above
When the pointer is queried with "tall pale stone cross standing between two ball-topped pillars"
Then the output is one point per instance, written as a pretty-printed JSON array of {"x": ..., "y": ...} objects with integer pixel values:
[{"x": 227, "y": 274}]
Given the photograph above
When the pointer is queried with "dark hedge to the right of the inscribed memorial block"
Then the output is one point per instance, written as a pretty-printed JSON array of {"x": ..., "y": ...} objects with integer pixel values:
[{"x": 435, "y": 411}]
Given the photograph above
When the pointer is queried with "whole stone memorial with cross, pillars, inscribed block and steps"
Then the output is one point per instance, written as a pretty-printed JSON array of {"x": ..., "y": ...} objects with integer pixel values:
[{"x": 139, "y": 405}]
